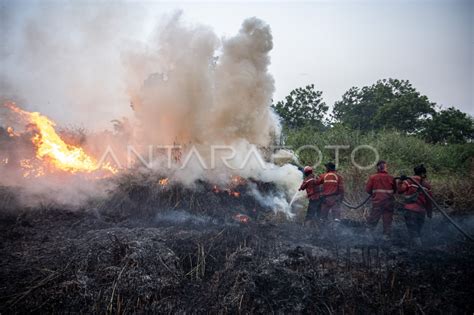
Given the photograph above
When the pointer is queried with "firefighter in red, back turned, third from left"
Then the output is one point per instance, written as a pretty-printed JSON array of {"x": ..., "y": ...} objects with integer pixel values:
[{"x": 382, "y": 187}]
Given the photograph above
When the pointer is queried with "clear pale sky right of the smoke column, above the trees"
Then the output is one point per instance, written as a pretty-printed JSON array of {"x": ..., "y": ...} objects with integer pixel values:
[{"x": 340, "y": 44}]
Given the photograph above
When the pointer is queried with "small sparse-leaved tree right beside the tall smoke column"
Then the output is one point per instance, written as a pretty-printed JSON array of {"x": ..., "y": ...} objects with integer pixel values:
[{"x": 303, "y": 107}]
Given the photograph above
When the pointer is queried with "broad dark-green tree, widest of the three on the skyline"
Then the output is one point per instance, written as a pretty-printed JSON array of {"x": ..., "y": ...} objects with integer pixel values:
[{"x": 391, "y": 104}]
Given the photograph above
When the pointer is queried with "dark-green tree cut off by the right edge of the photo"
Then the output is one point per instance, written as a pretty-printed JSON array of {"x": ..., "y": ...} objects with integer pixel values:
[{"x": 449, "y": 126}]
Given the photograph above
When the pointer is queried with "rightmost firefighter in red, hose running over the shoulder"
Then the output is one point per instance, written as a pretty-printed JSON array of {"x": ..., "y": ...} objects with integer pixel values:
[{"x": 416, "y": 204}]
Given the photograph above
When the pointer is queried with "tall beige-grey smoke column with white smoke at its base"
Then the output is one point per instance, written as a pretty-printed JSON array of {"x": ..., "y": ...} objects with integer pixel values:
[{"x": 191, "y": 88}]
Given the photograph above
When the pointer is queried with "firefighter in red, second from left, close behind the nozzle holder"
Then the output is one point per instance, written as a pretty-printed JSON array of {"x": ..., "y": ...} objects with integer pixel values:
[{"x": 332, "y": 192}]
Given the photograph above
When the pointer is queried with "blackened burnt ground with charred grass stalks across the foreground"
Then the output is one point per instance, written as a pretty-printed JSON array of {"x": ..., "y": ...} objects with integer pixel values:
[{"x": 88, "y": 260}]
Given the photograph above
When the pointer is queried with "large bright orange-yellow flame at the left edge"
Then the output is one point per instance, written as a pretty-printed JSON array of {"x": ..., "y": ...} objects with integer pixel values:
[{"x": 52, "y": 149}]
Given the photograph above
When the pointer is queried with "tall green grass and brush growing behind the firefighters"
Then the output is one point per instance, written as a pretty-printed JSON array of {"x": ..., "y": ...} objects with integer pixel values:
[{"x": 450, "y": 167}]
